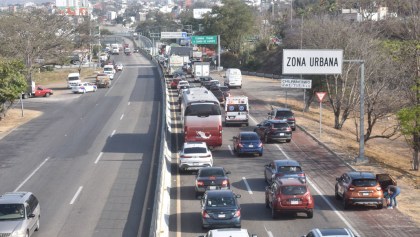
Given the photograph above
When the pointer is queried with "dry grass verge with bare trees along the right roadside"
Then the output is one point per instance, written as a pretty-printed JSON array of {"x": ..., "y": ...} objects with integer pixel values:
[{"x": 384, "y": 155}]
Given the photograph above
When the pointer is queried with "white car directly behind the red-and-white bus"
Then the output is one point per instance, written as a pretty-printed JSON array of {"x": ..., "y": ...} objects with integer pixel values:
[{"x": 195, "y": 155}]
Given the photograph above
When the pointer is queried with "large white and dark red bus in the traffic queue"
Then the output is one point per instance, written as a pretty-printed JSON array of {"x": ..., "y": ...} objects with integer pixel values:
[{"x": 201, "y": 117}]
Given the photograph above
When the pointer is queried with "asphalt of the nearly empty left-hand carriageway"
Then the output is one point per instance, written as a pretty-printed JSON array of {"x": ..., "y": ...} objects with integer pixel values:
[{"x": 91, "y": 159}]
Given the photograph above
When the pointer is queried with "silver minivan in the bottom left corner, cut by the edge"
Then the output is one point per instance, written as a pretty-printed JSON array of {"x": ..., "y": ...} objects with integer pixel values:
[{"x": 19, "y": 214}]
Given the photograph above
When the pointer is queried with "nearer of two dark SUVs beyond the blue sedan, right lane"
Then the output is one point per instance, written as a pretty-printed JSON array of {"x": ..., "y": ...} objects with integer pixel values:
[{"x": 274, "y": 130}]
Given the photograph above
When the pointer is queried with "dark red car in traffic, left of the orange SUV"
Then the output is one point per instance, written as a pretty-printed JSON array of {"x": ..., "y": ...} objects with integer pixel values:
[{"x": 289, "y": 195}]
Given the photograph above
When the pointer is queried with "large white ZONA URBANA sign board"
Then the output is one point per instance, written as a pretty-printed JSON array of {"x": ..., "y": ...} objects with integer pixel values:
[{"x": 312, "y": 61}]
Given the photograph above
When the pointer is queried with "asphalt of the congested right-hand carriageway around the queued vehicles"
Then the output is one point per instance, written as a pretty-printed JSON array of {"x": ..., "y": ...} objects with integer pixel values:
[{"x": 320, "y": 165}]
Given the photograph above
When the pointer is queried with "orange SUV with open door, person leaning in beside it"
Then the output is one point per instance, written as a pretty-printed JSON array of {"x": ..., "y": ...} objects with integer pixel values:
[{"x": 362, "y": 188}]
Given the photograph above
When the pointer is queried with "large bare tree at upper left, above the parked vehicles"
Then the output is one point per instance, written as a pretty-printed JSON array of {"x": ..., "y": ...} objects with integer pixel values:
[{"x": 29, "y": 35}]
